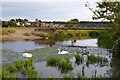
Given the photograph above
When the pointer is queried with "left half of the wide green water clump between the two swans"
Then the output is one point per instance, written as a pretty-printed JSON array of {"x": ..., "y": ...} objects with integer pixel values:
[{"x": 53, "y": 61}]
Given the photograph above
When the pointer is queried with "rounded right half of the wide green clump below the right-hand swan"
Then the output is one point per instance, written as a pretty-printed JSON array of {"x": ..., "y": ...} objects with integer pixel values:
[{"x": 65, "y": 65}]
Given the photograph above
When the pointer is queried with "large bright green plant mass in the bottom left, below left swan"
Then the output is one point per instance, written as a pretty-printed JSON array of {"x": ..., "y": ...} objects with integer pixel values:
[{"x": 25, "y": 67}]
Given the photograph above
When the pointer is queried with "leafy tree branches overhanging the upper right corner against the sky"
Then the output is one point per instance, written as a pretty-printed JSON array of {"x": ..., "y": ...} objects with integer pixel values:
[{"x": 108, "y": 10}]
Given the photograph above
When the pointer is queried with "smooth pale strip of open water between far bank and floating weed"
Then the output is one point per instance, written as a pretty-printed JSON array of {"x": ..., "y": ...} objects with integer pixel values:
[{"x": 19, "y": 46}]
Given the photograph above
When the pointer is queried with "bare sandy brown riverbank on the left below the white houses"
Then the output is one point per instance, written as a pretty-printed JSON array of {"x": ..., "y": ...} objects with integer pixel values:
[{"x": 20, "y": 34}]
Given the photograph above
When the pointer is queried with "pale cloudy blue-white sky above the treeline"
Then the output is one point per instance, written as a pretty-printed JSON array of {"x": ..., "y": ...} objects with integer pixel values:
[{"x": 47, "y": 10}]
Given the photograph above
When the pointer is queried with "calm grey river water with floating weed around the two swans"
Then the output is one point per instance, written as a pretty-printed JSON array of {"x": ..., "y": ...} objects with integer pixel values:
[{"x": 11, "y": 51}]
